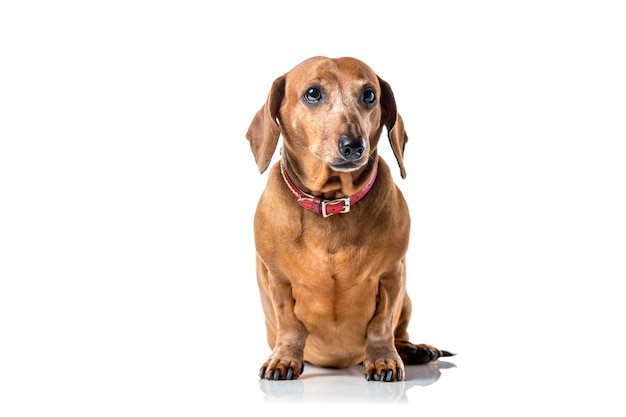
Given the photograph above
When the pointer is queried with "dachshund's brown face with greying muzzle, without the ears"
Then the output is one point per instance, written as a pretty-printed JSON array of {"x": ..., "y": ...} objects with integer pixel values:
[{"x": 332, "y": 108}]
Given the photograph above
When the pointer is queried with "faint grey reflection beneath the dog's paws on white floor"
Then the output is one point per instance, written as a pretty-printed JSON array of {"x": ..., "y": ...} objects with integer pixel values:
[{"x": 349, "y": 385}]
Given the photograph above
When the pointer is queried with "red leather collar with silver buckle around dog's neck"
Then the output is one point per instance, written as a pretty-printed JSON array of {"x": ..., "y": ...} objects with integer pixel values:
[{"x": 326, "y": 207}]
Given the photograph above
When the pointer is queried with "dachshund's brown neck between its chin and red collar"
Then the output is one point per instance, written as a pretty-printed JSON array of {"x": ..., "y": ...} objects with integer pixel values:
[{"x": 326, "y": 183}]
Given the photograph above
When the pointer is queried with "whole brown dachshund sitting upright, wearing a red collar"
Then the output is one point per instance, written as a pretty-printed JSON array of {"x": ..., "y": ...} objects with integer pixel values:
[{"x": 331, "y": 227}]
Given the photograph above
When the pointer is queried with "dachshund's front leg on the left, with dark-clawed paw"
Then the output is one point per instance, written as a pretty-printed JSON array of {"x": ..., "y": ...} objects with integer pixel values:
[{"x": 286, "y": 334}]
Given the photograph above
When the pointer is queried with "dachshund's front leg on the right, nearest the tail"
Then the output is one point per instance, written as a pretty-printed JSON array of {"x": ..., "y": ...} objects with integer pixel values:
[{"x": 382, "y": 361}]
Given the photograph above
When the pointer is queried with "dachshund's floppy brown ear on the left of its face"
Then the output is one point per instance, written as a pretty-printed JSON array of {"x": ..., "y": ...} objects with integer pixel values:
[{"x": 264, "y": 130}]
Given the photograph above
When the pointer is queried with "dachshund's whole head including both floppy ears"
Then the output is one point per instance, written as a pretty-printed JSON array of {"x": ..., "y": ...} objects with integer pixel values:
[{"x": 331, "y": 111}]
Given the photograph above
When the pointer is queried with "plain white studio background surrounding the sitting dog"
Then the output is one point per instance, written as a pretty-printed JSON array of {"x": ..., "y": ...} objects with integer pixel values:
[{"x": 127, "y": 190}]
